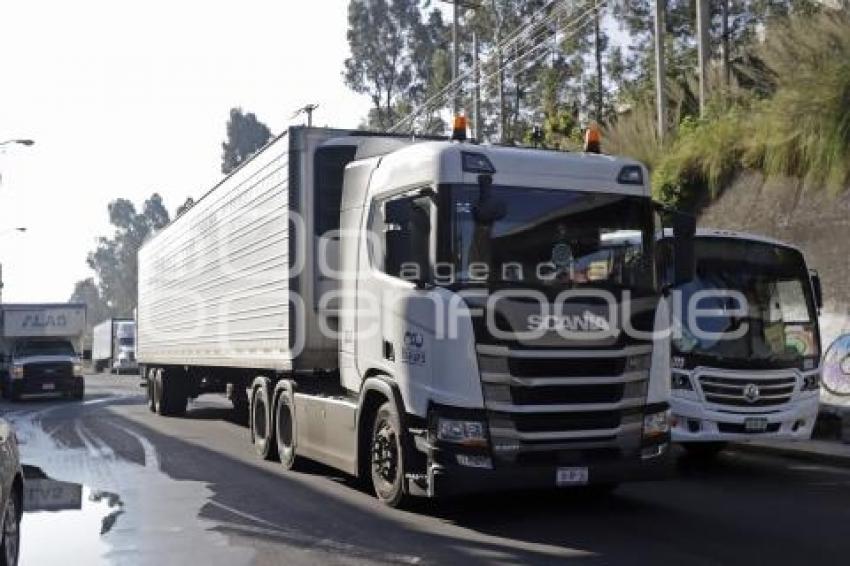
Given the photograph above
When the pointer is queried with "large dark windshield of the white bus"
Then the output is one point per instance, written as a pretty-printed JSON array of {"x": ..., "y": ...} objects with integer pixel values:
[{"x": 781, "y": 317}]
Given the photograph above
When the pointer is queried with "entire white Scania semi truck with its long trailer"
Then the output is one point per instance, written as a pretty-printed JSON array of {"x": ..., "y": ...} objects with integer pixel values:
[{"x": 434, "y": 317}]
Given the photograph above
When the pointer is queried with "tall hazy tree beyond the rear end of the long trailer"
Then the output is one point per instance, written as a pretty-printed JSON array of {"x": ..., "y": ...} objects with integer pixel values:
[{"x": 114, "y": 260}]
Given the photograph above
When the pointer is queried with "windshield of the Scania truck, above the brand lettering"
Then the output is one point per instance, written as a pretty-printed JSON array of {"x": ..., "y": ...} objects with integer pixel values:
[{"x": 556, "y": 239}]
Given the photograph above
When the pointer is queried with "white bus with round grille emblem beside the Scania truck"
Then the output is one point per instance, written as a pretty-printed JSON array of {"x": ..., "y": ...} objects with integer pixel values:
[{"x": 746, "y": 359}]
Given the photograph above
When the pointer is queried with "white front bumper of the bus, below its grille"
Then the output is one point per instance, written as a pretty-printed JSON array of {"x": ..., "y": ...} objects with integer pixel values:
[{"x": 694, "y": 422}]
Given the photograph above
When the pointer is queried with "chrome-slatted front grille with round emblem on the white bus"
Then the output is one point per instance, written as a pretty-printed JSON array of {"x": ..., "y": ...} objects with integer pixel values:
[{"x": 746, "y": 391}]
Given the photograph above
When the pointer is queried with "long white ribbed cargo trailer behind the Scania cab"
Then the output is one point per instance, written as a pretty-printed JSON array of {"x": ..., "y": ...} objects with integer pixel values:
[{"x": 226, "y": 282}]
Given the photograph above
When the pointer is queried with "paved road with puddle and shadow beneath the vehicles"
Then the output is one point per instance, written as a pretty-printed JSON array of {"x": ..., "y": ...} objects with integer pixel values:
[{"x": 141, "y": 489}]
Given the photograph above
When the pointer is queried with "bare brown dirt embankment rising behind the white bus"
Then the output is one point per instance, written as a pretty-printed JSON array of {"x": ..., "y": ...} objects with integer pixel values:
[{"x": 789, "y": 210}]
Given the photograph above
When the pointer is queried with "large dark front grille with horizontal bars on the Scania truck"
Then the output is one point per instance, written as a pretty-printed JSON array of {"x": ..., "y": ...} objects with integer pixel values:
[{"x": 562, "y": 401}]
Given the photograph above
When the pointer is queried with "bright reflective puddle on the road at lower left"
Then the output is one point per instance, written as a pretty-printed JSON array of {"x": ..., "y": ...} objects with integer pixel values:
[{"x": 89, "y": 505}]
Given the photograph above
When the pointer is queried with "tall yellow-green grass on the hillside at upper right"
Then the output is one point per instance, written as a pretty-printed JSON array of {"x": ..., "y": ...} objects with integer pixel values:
[{"x": 790, "y": 116}]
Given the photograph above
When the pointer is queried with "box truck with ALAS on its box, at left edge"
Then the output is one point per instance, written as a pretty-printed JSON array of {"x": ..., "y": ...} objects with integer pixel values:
[{"x": 40, "y": 346}]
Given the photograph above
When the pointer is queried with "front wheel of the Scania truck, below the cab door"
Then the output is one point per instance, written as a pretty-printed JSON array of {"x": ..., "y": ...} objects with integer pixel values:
[{"x": 386, "y": 457}]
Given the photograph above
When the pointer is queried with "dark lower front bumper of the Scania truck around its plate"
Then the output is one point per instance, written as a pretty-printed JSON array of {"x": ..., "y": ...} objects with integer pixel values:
[{"x": 447, "y": 480}]
